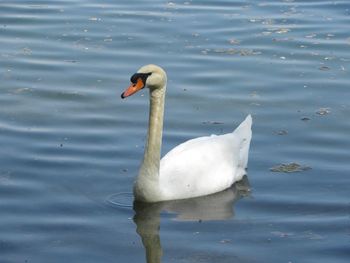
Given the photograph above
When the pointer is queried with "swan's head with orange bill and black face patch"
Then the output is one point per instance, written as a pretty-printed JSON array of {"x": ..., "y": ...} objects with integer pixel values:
[{"x": 150, "y": 76}]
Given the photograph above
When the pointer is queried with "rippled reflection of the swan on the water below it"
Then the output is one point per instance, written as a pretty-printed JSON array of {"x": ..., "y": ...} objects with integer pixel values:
[{"x": 219, "y": 206}]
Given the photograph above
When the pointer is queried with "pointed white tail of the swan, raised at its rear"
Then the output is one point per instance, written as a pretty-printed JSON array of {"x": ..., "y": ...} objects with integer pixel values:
[{"x": 244, "y": 133}]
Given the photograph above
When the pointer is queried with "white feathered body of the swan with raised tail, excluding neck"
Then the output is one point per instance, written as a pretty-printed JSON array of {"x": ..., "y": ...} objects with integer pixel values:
[{"x": 205, "y": 165}]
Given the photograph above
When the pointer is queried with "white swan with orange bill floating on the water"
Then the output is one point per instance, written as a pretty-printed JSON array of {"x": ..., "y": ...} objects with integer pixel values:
[{"x": 197, "y": 167}]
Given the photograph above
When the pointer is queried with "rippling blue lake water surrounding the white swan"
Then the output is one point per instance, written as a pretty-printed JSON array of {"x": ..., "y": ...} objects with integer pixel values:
[{"x": 69, "y": 144}]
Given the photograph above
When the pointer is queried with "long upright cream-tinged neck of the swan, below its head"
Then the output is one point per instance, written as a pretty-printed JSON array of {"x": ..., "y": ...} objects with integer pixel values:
[{"x": 151, "y": 159}]
